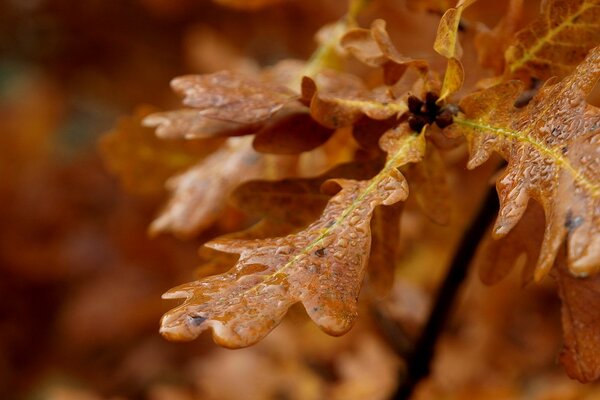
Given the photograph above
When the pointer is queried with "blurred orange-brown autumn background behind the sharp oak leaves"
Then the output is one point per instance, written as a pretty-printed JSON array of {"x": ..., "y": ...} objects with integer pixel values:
[{"x": 80, "y": 280}]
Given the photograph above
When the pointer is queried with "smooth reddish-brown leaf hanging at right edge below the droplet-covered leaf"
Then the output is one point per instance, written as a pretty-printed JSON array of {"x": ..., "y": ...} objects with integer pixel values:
[{"x": 581, "y": 322}]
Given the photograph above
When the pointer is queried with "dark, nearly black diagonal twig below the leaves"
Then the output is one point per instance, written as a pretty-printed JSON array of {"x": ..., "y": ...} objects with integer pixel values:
[{"x": 419, "y": 360}]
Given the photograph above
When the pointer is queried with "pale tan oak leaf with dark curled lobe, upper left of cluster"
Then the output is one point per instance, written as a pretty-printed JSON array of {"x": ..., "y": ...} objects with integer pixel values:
[{"x": 229, "y": 104}]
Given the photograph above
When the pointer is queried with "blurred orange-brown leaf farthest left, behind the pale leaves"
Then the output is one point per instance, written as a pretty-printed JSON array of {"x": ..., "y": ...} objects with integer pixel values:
[{"x": 143, "y": 162}]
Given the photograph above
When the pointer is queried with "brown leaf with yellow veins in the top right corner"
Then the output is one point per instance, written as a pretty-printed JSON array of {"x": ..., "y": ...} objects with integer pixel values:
[{"x": 557, "y": 42}]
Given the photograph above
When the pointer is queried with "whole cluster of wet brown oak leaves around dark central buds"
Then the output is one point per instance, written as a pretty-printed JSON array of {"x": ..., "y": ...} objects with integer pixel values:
[{"x": 319, "y": 237}]
